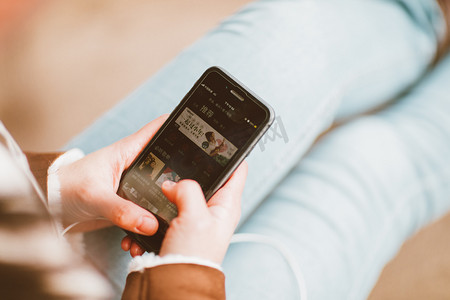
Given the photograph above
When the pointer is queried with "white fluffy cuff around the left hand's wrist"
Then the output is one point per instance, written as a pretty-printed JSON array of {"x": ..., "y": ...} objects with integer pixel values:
[{"x": 53, "y": 184}]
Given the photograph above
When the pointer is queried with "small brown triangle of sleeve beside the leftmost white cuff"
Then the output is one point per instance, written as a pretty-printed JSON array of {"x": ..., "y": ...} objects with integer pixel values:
[{"x": 39, "y": 164}]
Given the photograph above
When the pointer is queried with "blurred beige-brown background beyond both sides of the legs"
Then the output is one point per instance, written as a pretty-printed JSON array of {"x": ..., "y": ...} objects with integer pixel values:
[{"x": 65, "y": 62}]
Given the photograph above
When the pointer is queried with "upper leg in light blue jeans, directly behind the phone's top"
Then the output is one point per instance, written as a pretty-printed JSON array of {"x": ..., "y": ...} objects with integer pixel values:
[{"x": 312, "y": 60}]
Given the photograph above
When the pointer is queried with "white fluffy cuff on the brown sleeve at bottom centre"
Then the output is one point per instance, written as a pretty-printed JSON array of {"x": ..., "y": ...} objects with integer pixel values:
[{"x": 149, "y": 260}]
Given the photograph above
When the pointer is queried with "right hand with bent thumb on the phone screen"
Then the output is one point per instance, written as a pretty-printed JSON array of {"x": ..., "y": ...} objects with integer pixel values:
[{"x": 201, "y": 229}]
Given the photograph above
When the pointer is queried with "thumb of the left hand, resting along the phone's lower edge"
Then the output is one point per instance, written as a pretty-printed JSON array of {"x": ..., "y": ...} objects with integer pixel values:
[{"x": 128, "y": 215}]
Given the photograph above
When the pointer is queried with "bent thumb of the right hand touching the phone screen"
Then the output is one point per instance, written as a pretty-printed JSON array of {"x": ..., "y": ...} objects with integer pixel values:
[{"x": 186, "y": 195}]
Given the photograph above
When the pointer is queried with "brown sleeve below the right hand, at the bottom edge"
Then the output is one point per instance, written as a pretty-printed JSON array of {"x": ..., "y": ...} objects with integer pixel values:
[{"x": 176, "y": 282}]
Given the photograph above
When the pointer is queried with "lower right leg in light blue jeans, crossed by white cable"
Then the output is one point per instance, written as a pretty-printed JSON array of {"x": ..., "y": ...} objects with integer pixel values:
[{"x": 346, "y": 209}]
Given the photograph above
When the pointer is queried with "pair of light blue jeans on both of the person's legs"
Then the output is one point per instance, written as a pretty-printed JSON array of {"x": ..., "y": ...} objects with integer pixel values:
[{"x": 346, "y": 207}]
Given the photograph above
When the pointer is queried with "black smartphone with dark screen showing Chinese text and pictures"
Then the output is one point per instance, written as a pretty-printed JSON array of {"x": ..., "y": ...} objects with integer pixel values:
[{"x": 205, "y": 138}]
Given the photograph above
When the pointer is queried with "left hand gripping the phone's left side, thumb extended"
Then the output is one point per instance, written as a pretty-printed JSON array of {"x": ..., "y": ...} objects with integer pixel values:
[{"x": 89, "y": 186}]
